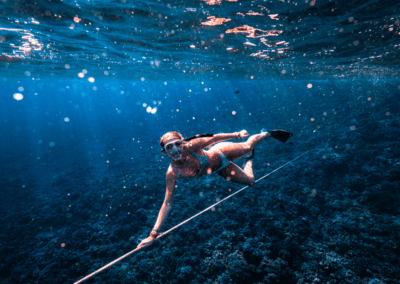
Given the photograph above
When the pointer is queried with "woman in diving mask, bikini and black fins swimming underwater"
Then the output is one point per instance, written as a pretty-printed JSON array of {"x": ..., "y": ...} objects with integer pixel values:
[{"x": 190, "y": 160}]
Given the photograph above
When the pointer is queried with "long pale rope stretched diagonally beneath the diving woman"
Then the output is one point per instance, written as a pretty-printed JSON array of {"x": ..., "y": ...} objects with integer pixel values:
[{"x": 180, "y": 224}]
